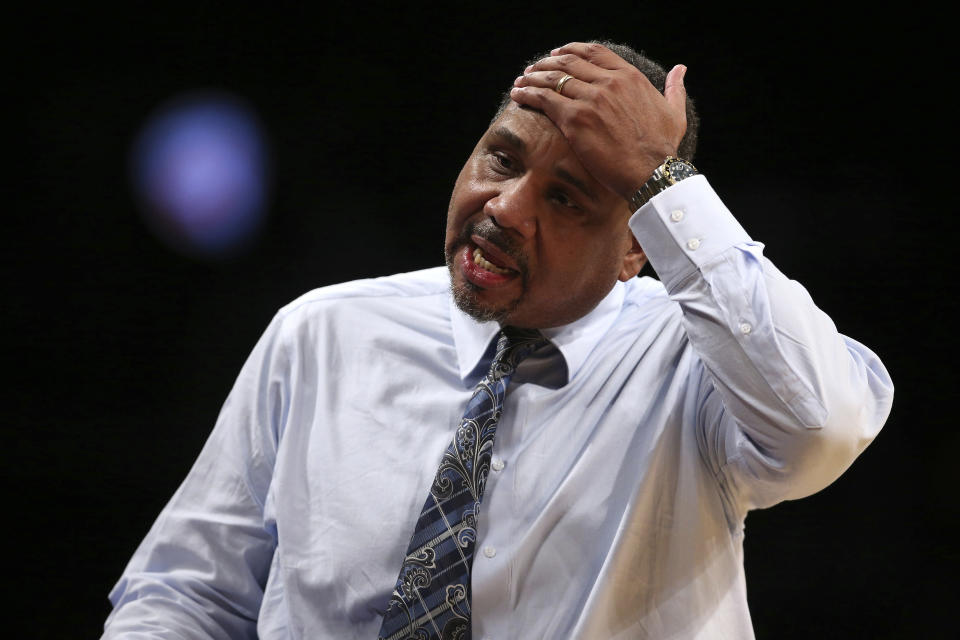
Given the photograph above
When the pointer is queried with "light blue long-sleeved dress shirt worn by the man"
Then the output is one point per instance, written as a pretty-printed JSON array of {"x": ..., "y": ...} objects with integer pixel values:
[{"x": 625, "y": 462}]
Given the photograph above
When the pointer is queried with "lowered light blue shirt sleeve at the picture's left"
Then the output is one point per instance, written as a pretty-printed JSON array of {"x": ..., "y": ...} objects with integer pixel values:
[{"x": 201, "y": 570}]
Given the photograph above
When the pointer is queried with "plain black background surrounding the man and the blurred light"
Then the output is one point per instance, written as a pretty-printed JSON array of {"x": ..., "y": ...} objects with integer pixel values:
[{"x": 827, "y": 134}]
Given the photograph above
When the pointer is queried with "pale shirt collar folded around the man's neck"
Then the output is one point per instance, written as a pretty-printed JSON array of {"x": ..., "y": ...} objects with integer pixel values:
[{"x": 575, "y": 341}]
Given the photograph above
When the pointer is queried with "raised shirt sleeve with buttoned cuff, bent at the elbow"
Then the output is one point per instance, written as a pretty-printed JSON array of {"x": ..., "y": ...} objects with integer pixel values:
[{"x": 787, "y": 402}]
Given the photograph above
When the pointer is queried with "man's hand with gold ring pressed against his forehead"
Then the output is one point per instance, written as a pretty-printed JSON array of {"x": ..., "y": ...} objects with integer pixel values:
[{"x": 618, "y": 124}]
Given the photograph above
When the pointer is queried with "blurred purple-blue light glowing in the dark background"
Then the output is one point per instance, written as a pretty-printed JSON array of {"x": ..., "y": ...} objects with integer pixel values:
[{"x": 199, "y": 170}]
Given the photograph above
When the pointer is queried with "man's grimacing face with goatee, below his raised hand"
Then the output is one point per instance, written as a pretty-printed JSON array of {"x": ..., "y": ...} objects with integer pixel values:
[{"x": 532, "y": 239}]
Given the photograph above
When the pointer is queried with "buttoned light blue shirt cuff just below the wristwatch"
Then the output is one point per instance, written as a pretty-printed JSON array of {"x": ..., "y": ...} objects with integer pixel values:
[{"x": 684, "y": 228}]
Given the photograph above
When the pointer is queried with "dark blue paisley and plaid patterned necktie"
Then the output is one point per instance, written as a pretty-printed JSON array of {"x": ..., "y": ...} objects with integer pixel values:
[{"x": 431, "y": 600}]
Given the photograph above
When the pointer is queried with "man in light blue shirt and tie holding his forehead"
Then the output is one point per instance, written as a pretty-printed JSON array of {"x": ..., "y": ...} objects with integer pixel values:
[{"x": 628, "y": 448}]
